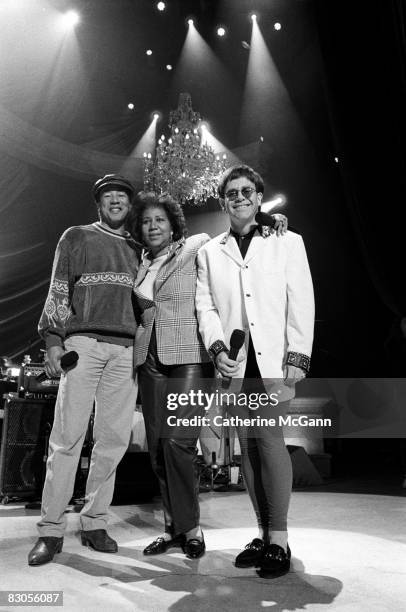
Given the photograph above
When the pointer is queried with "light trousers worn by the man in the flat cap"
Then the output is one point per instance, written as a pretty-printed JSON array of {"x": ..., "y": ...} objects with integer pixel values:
[{"x": 104, "y": 374}]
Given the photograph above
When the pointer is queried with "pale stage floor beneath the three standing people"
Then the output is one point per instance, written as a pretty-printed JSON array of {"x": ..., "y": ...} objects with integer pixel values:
[{"x": 348, "y": 554}]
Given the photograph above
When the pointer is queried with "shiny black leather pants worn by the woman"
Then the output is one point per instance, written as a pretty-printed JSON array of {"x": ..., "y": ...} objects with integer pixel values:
[{"x": 173, "y": 448}]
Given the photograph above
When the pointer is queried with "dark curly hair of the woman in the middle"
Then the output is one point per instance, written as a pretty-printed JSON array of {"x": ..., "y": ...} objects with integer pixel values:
[{"x": 150, "y": 199}]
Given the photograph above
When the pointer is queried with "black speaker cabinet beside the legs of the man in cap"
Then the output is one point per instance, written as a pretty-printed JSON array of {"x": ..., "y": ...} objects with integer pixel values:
[{"x": 26, "y": 427}]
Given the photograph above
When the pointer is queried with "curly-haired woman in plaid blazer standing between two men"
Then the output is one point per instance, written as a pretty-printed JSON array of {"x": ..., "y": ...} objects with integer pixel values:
[{"x": 170, "y": 358}]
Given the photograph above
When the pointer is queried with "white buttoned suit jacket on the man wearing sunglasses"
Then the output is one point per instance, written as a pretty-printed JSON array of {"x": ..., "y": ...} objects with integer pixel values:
[{"x": 268, "y": 294}]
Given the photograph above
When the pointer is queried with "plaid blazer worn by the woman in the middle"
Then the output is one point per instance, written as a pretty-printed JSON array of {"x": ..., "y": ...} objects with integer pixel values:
[{"x": 173, "y": 309}]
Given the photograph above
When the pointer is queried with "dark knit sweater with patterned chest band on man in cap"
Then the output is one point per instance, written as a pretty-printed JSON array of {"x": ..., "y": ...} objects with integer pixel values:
[{"x": 91, "y": 286}]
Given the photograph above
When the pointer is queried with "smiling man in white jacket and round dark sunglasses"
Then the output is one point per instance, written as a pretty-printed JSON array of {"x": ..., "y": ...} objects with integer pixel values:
[{"x": 256, "y": 281}]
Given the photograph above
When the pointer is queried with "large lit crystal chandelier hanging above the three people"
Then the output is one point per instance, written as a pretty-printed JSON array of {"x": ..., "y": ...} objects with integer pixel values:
[{"x": 184, "y": 167}]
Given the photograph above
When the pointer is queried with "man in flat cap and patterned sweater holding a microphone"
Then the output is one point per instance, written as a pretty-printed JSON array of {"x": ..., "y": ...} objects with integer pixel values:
[{"x": 89, "y": 310}]
